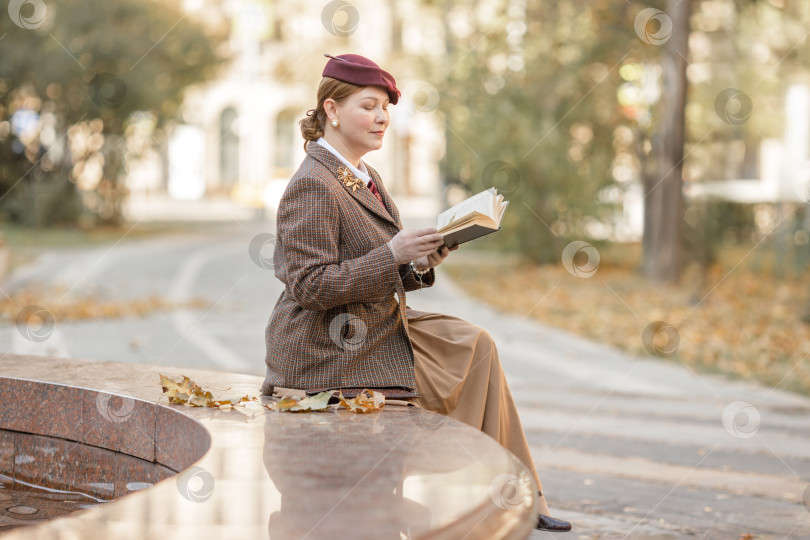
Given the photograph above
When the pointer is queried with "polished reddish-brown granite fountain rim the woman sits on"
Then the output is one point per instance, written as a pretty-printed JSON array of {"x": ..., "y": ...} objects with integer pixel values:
[{"x": 401, "y": 473}]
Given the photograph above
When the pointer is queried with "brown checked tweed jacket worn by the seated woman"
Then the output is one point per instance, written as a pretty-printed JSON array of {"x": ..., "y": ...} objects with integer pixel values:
[{"x": 338, "y": 323}]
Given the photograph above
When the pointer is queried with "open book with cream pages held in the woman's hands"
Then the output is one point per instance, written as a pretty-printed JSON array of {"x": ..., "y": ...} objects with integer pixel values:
[{"x": 474, "y": 217}]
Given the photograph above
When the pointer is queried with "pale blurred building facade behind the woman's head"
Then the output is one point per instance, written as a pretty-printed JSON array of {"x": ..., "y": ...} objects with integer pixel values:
[{"x": 239, "y": 137}]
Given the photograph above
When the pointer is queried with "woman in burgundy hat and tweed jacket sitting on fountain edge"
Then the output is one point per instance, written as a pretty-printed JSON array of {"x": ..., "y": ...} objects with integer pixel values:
[{"x": 342, "y": 253}]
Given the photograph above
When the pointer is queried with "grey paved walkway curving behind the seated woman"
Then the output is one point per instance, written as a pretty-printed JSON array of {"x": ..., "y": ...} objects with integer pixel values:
[{"x": 626, "y": 447}]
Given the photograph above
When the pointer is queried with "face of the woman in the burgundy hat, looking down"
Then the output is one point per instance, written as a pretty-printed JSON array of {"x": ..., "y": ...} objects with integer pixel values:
[{"x": 363, "y": 119}]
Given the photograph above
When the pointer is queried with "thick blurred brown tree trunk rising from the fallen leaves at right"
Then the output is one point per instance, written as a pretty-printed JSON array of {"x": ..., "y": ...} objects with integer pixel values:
[{"x": 663, "y": 201}]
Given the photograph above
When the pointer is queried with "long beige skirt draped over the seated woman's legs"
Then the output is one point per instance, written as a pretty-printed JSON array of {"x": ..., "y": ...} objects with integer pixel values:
[{"x": 459, "y": 374}]
